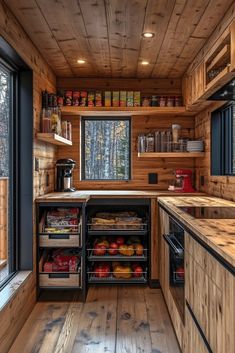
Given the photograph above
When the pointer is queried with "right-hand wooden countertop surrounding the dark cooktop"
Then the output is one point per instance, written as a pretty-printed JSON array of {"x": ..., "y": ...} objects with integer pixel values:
[{"x": 218, "y": 234}]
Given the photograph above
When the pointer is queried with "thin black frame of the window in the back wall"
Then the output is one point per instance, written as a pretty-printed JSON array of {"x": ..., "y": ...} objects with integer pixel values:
[{"x": 82, "y": 146}]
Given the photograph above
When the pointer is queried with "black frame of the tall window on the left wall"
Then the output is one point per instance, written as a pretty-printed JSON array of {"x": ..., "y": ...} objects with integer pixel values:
[{"x": 21, "y": 159}]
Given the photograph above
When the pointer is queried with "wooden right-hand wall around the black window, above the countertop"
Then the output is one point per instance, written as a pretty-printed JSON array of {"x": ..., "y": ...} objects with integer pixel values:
[{"x": 220, "y": 186}]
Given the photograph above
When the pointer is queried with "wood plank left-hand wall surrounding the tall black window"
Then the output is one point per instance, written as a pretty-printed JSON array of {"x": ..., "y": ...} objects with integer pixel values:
[{"x": 18, "y": 309}]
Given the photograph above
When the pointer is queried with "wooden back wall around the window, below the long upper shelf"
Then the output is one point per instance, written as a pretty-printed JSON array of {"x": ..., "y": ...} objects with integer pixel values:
[{"x": 140, "y": 167}]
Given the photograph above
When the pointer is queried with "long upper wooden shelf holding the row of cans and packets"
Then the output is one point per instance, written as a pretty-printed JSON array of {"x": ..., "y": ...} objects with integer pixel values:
[{"x": 110, "y": 111}]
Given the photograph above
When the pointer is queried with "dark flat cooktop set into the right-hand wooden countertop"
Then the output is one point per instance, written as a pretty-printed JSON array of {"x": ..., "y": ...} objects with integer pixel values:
[{"x": 208, "y": 212}]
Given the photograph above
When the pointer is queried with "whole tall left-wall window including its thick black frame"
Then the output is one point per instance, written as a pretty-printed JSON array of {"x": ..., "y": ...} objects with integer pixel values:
[{"x": 16, "y": 164}]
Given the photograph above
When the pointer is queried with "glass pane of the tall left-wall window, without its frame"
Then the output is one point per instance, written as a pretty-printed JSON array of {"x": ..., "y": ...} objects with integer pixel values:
[{"x": 7, "y": 173}]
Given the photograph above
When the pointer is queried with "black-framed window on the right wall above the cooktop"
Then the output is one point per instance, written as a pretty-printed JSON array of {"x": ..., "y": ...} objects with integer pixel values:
[{"x": 223, "y": 141}]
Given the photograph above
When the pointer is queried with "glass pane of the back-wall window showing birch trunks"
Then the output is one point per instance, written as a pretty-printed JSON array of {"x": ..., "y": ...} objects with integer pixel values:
[{"x": 105, "y": 152}]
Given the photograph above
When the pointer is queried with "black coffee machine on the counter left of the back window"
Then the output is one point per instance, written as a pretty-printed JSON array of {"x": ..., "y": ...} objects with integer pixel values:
[{"x": 64, "y": 177}]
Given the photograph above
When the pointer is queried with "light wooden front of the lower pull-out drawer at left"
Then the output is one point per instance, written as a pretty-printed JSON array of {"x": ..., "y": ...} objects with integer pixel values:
[{"x": 60, "y": 280}]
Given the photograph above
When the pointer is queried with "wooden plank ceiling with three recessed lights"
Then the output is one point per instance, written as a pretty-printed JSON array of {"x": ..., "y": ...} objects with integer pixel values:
[{"x": 107, "y": 33}]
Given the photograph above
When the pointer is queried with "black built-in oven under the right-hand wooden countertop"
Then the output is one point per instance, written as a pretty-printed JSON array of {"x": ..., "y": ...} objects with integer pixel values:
[{"x": 175, "y": 241}]
